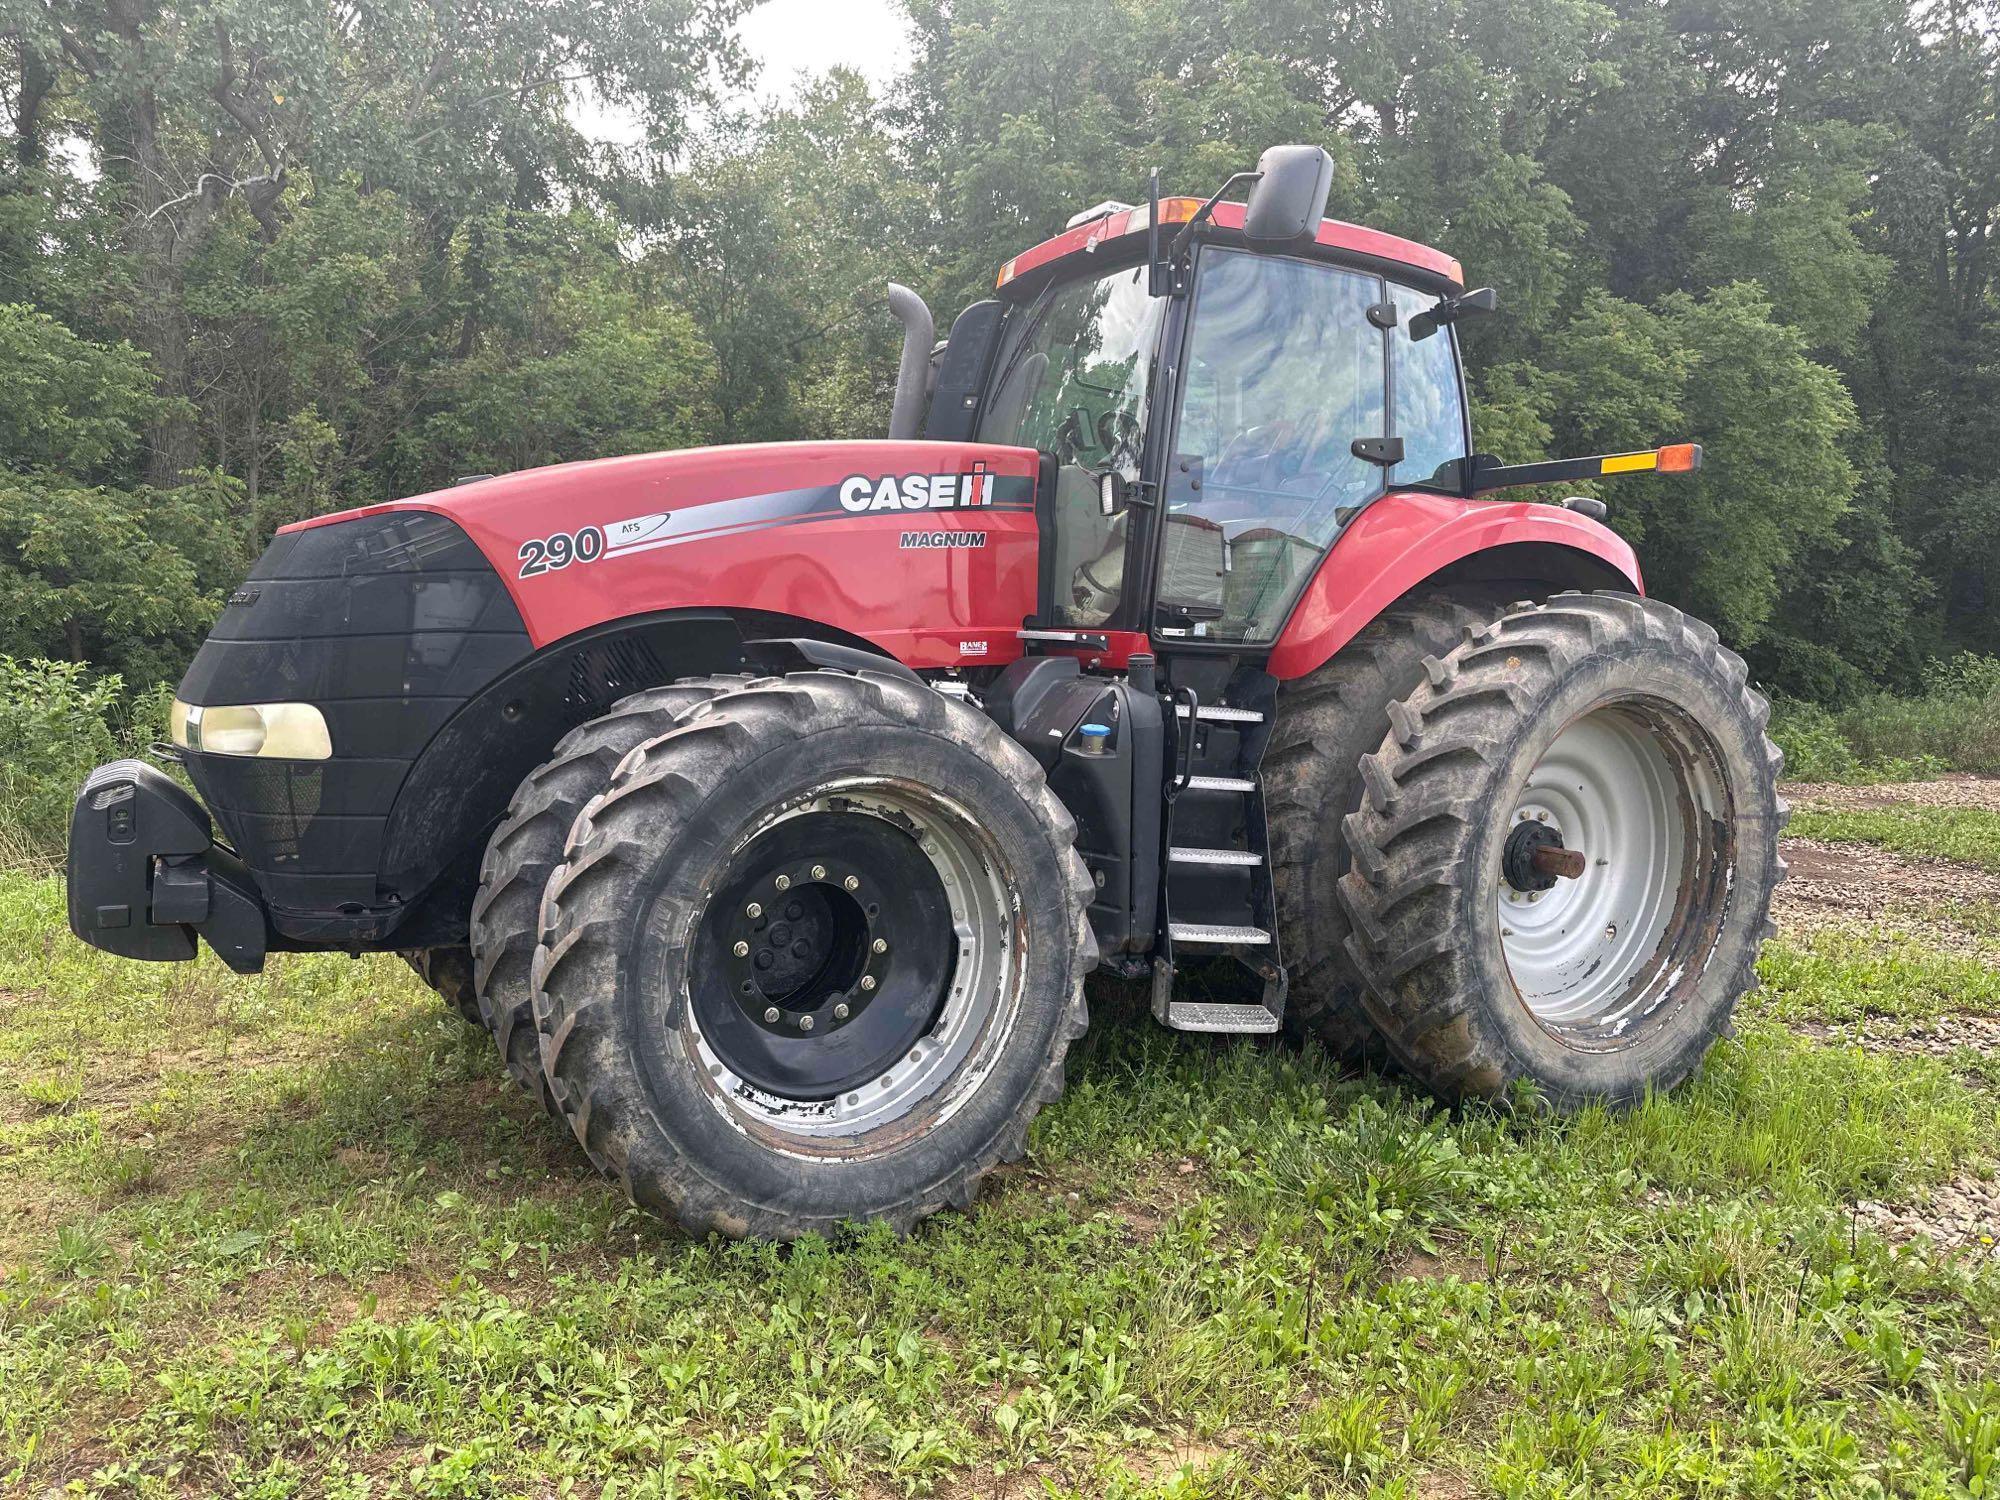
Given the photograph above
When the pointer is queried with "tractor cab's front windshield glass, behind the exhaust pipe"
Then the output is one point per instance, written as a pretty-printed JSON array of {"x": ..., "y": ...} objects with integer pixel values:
[{"x": 1077, "y": 383}]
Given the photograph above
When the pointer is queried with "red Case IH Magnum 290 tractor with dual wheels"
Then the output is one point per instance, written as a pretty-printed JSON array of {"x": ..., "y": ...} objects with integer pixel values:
[{"x": 771, "y": 805}]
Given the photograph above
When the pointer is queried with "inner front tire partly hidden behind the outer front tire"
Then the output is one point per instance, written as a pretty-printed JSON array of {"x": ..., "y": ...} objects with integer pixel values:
[{"x": 529, "y": 845}]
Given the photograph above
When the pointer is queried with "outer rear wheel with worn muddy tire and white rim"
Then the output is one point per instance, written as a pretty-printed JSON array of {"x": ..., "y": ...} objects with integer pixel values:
[{"x": 1601, "y": 727}]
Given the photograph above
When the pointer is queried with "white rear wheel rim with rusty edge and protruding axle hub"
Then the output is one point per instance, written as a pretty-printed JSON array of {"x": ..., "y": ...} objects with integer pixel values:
[{"x": 1635, "y": 789}]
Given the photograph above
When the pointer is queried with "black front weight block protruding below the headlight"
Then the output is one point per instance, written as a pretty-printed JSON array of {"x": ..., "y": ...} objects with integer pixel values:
[{"x": 147, "y": 877}]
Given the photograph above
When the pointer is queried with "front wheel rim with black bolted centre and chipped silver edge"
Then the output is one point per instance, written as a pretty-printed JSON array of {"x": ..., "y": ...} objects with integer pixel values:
[{"x": 851, "y": 961}]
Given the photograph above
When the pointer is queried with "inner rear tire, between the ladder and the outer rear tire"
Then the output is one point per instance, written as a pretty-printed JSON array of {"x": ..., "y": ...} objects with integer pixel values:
[{"x": 1313, "y": 779}]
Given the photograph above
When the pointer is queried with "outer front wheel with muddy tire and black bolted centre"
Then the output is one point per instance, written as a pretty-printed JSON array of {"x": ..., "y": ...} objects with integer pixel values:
[{"x": 815, "y": 955}]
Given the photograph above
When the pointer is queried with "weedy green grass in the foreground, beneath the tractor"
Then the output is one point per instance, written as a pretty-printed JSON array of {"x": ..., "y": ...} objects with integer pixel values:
[{"x": 297, "y": 1235}]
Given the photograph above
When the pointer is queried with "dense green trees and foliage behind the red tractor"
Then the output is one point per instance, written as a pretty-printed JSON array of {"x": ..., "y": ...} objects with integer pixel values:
[{"x": 257, "y": 265}]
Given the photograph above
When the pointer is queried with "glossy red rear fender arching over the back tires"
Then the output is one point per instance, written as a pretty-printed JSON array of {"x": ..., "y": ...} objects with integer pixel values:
[{"x": 1401, "y": 541}]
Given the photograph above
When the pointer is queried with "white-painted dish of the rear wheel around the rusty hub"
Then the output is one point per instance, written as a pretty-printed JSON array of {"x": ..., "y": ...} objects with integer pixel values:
[{"x": 1577, "y": 951}]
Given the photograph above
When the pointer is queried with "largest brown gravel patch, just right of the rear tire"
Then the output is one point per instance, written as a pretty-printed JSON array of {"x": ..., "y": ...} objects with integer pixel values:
[{"x": 1859, "y": 885}]
